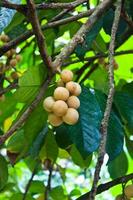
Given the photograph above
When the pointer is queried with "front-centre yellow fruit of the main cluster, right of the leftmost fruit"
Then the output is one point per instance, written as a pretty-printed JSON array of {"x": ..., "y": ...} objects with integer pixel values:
[{"x": 60, "y": 108}]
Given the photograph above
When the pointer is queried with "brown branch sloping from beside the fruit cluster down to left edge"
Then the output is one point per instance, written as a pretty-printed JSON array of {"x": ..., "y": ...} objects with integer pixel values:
[{"x": 27, "y": 112}]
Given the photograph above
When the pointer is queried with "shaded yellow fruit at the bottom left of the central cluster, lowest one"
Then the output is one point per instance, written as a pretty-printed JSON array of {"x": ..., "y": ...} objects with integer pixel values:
[{"x": 54, "y": 120}]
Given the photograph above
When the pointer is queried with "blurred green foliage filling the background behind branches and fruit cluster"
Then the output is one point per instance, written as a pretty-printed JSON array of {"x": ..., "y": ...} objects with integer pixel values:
[{"x": 70, "y": 152}]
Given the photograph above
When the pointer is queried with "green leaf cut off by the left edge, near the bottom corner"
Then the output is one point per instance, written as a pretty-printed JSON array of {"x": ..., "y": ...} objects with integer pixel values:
[{"x": 3, "y": 172}]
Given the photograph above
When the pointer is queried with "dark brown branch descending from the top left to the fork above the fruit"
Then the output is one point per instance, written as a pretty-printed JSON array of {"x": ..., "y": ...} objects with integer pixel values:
[{"x": 33, "y": 18}]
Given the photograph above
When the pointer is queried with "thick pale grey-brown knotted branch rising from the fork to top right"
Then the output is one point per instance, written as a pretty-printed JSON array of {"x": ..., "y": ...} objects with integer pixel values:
[{"x": 79, "y": 36}]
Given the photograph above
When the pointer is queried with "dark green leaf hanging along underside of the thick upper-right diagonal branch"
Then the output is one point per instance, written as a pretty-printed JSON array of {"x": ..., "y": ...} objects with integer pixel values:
[{"x": 81, "y": 49}]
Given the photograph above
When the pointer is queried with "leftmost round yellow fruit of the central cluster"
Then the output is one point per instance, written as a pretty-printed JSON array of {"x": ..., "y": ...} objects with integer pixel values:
[{"x": 48, "y": 103}]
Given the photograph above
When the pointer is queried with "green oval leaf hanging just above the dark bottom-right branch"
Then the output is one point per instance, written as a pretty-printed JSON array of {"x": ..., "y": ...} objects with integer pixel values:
[{"x": 119, "y": 166}]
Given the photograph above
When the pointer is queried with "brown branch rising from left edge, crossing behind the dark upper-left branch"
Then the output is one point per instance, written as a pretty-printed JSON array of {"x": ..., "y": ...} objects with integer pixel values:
[{"x": 28, "y": 34}]
